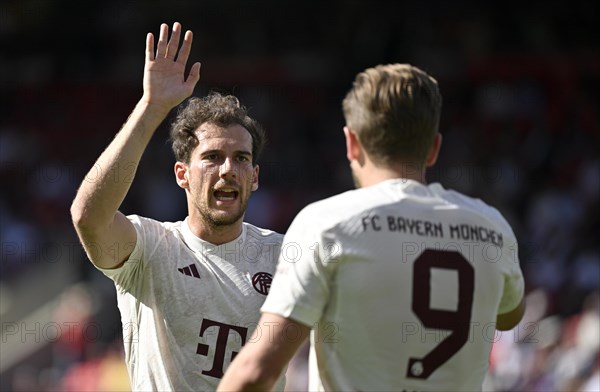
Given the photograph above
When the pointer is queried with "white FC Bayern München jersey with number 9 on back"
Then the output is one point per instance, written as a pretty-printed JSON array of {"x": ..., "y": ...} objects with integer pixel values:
[{"x": 402, "y": 283}]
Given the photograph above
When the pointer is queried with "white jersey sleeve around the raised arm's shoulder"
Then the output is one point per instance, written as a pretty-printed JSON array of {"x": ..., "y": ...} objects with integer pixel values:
[{"x": 126, "y": 275}]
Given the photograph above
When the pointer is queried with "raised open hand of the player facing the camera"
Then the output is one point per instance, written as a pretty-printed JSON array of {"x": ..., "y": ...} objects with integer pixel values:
[{"x": 165, "y": 84}]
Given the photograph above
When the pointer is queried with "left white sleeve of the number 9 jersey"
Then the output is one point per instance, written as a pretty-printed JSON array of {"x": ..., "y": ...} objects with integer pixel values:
[{"x": 308, "y": 259}]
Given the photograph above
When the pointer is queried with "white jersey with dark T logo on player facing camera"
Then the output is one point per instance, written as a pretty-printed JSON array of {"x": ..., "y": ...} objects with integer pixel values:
[{"x": 188, "y": 306}]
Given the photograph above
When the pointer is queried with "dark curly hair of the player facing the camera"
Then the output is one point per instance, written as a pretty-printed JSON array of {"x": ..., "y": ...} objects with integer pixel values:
[{"x": 215, "y": 108}]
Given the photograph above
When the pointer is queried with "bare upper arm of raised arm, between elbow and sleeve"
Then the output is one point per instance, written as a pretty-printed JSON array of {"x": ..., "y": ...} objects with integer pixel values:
[{"x": 108, "y": 246}]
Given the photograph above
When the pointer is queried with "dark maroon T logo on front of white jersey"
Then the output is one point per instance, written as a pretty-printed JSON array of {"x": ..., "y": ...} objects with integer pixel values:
[{"x": 221, "y": 346}]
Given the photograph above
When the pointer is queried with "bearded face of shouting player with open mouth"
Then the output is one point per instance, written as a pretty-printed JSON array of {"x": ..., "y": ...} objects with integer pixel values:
[{"x": 220, "y": 174}]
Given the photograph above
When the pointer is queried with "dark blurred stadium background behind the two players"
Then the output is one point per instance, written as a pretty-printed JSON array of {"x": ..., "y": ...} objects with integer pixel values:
[{"x": 521, "y": 125}]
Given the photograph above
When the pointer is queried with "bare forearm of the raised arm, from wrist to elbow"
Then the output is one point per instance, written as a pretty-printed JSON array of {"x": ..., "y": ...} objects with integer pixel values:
[{"x": 108, "y": 181}]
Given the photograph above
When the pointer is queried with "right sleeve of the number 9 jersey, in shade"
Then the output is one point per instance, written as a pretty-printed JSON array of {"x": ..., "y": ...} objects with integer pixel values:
[{"x": 514, "y": 283}]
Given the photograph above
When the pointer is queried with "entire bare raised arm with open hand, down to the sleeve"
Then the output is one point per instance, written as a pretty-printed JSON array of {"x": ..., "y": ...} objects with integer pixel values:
[{"x": 106, "y": 234}]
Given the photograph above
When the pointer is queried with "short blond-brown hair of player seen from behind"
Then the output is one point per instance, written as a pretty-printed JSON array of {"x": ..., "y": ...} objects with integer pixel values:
[{"x": 395, "y": 111}]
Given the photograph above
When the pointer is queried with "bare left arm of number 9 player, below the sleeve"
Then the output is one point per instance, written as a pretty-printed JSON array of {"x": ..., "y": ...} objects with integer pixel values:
[{"x": 261, "y": 361}]
